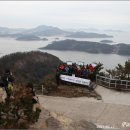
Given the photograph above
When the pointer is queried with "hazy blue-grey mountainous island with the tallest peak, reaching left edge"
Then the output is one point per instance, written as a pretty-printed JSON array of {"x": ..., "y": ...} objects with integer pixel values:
[{"x": 41, "y": 30}]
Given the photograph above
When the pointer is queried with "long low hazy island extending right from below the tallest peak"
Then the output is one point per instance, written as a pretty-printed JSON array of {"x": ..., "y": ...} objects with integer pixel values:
[{"x": 88, "y": 35}]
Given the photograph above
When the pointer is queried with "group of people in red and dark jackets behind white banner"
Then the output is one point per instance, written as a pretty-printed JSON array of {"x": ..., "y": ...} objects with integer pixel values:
[{"x": 81, "y": 71}]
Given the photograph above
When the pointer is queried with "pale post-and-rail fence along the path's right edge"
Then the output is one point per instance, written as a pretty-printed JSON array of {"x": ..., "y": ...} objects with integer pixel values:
[{"x": 113, "y": 83}]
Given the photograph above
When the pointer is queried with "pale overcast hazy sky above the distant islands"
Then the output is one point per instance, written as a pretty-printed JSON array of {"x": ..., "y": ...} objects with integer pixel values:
[{"x": 66, "y": 14}]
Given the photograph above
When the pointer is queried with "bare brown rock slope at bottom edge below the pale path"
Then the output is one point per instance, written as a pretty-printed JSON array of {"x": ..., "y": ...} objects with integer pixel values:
[{"x": 53, "y": 121}]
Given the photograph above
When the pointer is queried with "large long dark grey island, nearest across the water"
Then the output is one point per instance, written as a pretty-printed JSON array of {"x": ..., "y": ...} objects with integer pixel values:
[{"x": 90, "y": 47}]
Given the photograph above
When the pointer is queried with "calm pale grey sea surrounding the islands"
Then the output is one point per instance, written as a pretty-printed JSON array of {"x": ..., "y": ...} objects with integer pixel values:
[{"x": 109, "y": 61}]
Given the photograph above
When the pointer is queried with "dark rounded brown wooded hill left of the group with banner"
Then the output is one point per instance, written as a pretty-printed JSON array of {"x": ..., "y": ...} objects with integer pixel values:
[{"x": 29, "y": 66}]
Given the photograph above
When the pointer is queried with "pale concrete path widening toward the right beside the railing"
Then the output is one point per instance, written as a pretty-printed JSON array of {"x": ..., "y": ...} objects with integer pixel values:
[{"x": 112, "y": 111}]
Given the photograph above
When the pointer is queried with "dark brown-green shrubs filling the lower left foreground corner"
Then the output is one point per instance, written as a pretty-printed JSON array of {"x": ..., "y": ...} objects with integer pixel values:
[{"x": 18, "y": 112}]
